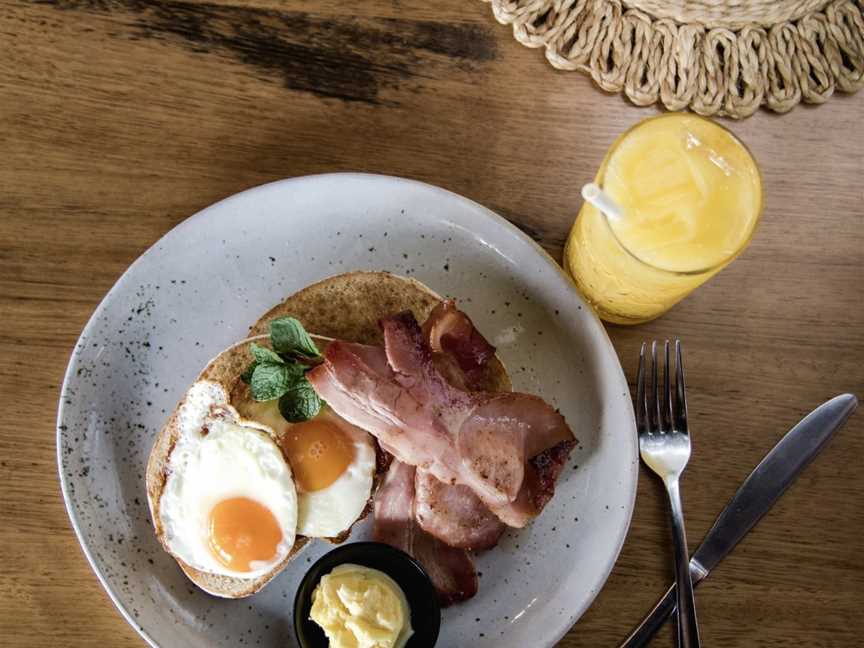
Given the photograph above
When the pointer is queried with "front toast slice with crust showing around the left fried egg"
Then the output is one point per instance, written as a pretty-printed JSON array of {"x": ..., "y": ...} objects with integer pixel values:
[{"x": 225, "y": 370}]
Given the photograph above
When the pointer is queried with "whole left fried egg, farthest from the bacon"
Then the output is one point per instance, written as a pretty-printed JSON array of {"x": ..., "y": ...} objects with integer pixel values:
[{"x": 229, "y": 505}]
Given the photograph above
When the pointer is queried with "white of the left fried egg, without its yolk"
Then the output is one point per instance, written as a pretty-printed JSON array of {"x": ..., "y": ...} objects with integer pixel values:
[{"x": 233, "y": 458}]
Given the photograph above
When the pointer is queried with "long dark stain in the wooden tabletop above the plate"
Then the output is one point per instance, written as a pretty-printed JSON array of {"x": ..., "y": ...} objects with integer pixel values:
[{"x": 350, "y": 59}]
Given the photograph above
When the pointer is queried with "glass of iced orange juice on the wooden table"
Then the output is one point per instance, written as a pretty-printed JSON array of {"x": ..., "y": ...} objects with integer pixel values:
[{"x": 689, "y": 196}]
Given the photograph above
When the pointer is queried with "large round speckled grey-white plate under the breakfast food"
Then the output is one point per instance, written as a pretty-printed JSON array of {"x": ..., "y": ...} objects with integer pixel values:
[{"x": 201, "y": 286}]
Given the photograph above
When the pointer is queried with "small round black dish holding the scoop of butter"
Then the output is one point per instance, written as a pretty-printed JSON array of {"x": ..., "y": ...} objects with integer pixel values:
[{"x": 402, "y": 568}]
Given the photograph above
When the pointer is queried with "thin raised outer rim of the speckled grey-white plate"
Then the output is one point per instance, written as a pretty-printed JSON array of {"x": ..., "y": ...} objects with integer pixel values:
[{"x": 629, "y": 464}]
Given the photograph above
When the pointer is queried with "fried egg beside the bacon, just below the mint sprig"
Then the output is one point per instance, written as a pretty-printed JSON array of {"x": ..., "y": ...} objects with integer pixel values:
[{"x": 333, "y": 463}]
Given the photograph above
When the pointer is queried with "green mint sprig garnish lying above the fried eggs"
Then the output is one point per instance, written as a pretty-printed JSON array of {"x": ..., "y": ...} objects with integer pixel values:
[{"x": 281, "y": 372}]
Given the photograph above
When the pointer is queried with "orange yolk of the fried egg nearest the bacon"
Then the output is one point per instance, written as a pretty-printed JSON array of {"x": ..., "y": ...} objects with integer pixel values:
[{"x": 318, "y": 453}]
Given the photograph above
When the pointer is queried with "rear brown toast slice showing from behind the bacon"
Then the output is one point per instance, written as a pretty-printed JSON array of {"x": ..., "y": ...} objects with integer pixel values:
[{"x": 348, "y": 307}]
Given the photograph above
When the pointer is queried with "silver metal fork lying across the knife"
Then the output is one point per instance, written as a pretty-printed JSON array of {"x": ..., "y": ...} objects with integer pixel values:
[{"x": 664, "y": 444}]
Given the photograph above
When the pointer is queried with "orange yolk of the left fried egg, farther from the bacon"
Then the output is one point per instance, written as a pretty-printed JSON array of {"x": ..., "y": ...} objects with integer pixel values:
[{"x": 241, "y": 531}]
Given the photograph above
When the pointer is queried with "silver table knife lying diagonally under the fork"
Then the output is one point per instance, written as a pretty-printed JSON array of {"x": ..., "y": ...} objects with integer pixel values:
[{"x": 777, "y": 470}]
